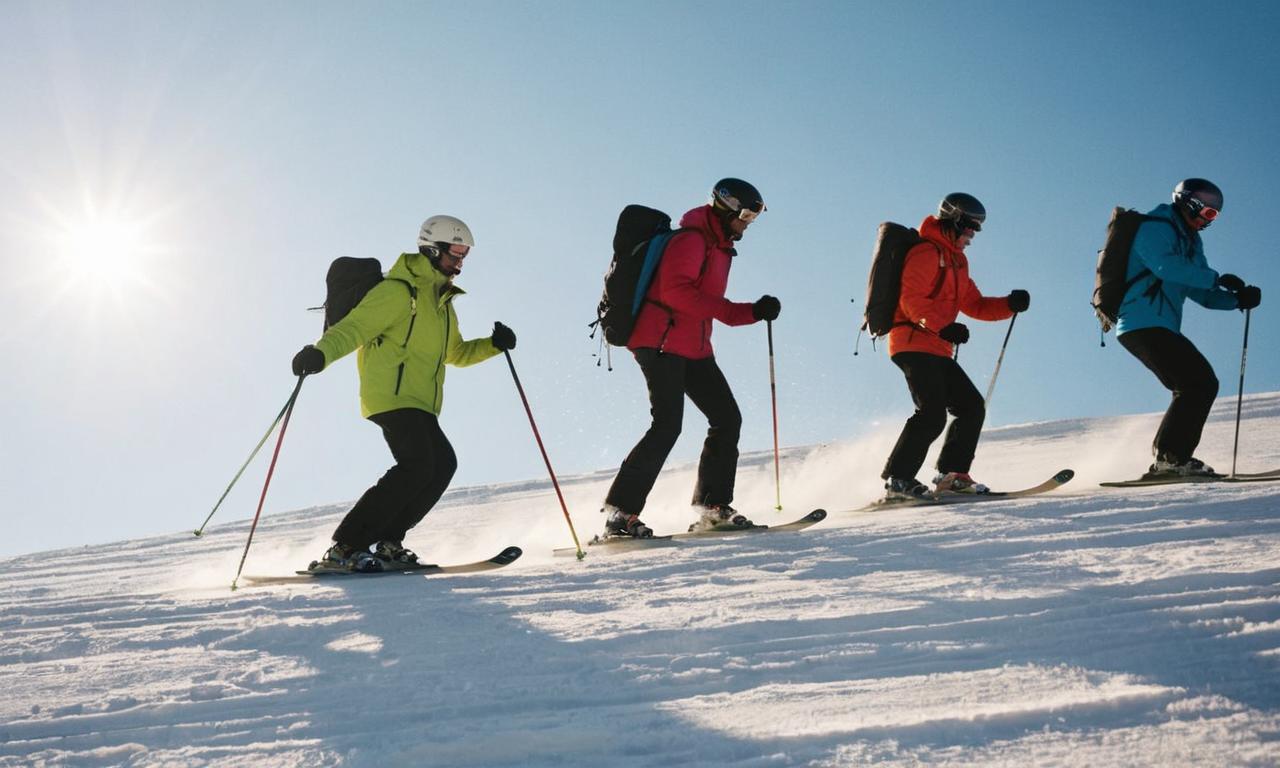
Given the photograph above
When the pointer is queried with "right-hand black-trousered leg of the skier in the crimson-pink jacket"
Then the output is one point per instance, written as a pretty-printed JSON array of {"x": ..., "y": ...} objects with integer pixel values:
[{"x": 717, "y": 469}]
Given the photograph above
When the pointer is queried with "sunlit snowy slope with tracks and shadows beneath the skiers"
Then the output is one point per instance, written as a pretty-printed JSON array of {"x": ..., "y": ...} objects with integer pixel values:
[{"x": 1085, "y": 628}]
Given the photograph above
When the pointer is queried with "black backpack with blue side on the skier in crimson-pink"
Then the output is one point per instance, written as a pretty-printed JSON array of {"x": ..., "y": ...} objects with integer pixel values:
[{"x": 639, "y": 241}]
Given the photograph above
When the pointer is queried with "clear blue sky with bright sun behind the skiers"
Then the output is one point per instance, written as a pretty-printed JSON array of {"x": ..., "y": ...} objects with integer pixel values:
[{"x": 175, "y": 180}]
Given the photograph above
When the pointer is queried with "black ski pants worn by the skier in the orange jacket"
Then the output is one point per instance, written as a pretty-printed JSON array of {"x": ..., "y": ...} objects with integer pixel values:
[{"x": 939, "y": 386}]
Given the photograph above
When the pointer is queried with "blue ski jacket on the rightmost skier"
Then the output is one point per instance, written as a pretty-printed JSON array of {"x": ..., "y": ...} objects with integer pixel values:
[{"x": 1173, "y": 258}]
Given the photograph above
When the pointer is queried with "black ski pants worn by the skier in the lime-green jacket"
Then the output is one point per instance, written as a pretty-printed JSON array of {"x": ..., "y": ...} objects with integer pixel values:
[{"x": 424, "y": 467}]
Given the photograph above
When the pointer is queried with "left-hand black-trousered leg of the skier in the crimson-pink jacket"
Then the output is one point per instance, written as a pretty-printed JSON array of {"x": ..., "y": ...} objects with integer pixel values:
[{"x": 665, "y": 377}]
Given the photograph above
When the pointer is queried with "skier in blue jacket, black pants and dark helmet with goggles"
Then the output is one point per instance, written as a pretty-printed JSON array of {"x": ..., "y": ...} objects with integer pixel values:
[{"x": 1168, "y": 267}]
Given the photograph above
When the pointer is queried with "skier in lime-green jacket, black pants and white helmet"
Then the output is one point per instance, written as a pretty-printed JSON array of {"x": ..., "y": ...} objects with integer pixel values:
[{"x": 404, "y": 344}]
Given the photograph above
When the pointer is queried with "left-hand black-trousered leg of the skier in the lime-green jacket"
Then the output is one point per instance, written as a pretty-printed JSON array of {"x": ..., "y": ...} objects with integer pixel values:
[{"x": 408, "y": 438}]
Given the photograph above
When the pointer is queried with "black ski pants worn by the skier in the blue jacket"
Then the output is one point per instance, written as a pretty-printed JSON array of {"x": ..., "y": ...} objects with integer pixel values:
[{"x": 1185, "y": 372}]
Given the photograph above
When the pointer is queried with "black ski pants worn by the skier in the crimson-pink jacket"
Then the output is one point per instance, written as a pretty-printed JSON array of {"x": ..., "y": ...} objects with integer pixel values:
[{"x": 670, "y": 378}]
